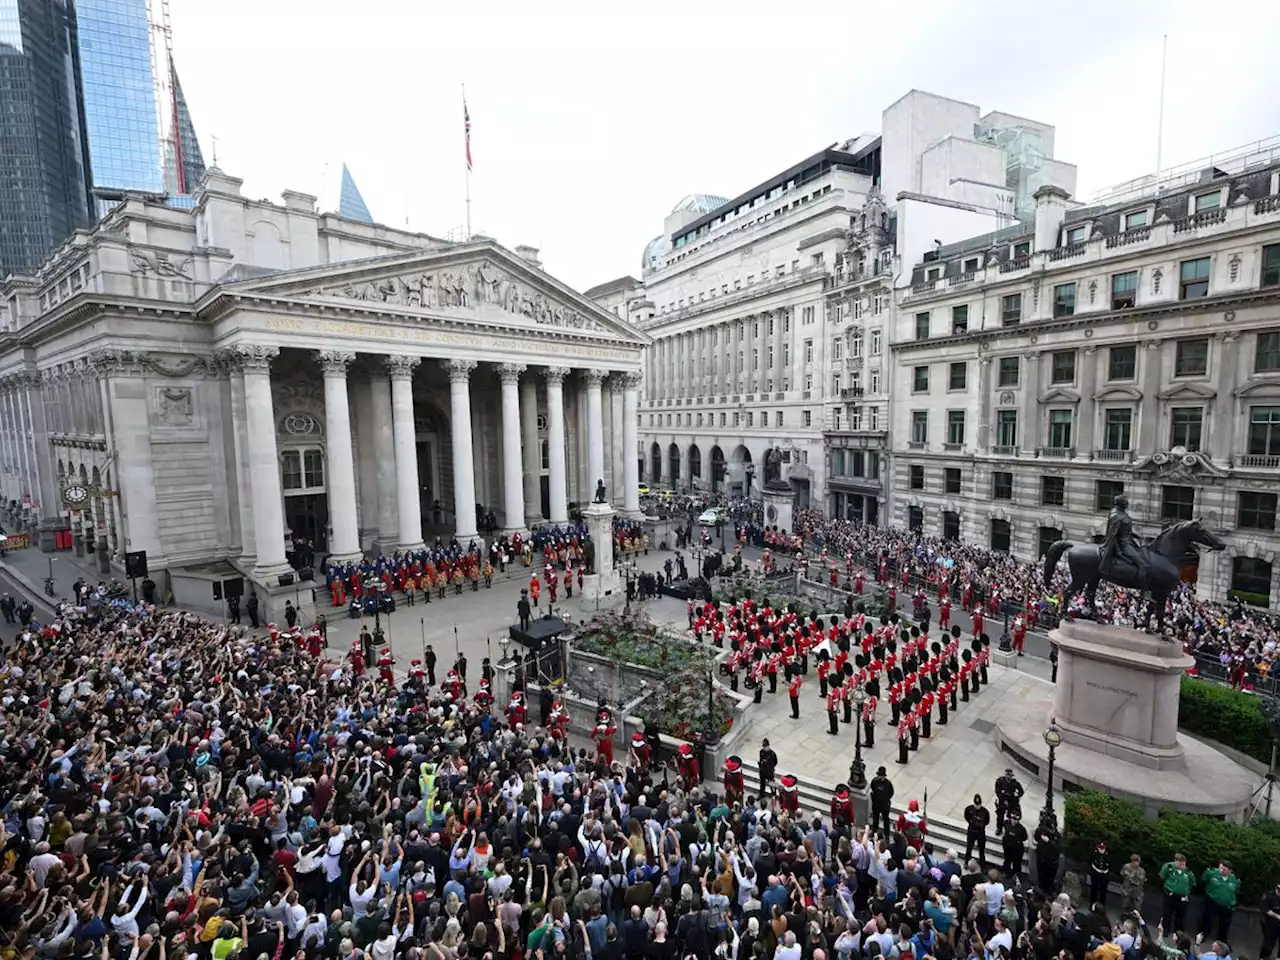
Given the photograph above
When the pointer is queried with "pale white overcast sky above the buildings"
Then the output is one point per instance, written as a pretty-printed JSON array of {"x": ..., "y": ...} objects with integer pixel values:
[{"x": 591, "y": 121}]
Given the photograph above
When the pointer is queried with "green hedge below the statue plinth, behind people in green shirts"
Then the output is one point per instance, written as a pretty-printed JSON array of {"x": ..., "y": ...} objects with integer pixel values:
[{"x": 1252, "y": 852}]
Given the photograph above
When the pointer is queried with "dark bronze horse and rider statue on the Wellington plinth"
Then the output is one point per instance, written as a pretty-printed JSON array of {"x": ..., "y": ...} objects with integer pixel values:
[{"x": 1122, "y": 560}]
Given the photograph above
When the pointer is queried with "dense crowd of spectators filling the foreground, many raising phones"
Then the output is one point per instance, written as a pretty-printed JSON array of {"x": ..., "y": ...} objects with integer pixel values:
[{"x": 175, "y": 788}]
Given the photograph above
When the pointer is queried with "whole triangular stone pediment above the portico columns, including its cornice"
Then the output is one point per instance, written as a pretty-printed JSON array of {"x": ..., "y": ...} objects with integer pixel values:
[{"x": 474, "y": 282}]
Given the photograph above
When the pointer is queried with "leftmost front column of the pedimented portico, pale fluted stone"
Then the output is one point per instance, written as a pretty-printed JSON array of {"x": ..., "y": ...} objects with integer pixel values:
[{"x": 264, "y": 461}]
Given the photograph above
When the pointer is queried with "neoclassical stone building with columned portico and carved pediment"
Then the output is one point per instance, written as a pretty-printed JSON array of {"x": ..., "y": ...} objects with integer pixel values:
[{"x": 228, "y": 378}]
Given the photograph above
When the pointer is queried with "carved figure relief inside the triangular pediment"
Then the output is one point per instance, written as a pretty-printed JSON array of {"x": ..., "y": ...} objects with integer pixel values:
[{"x": 472, "y": 286}]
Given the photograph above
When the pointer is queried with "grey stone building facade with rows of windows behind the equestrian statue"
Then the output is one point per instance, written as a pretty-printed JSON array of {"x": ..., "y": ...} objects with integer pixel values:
[{"x": 1130, "y": 348}]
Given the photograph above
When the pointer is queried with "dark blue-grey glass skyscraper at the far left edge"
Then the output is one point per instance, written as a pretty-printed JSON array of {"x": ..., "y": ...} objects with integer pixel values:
[{"x": 44, "y": 177}]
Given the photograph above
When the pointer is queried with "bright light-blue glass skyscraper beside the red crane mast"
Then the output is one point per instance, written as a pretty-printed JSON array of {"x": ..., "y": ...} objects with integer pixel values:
[{"x": 120, "y": 97}]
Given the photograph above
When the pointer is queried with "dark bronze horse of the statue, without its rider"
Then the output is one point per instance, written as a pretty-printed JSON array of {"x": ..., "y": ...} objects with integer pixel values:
[{"x": 1164, "y": 552}]
